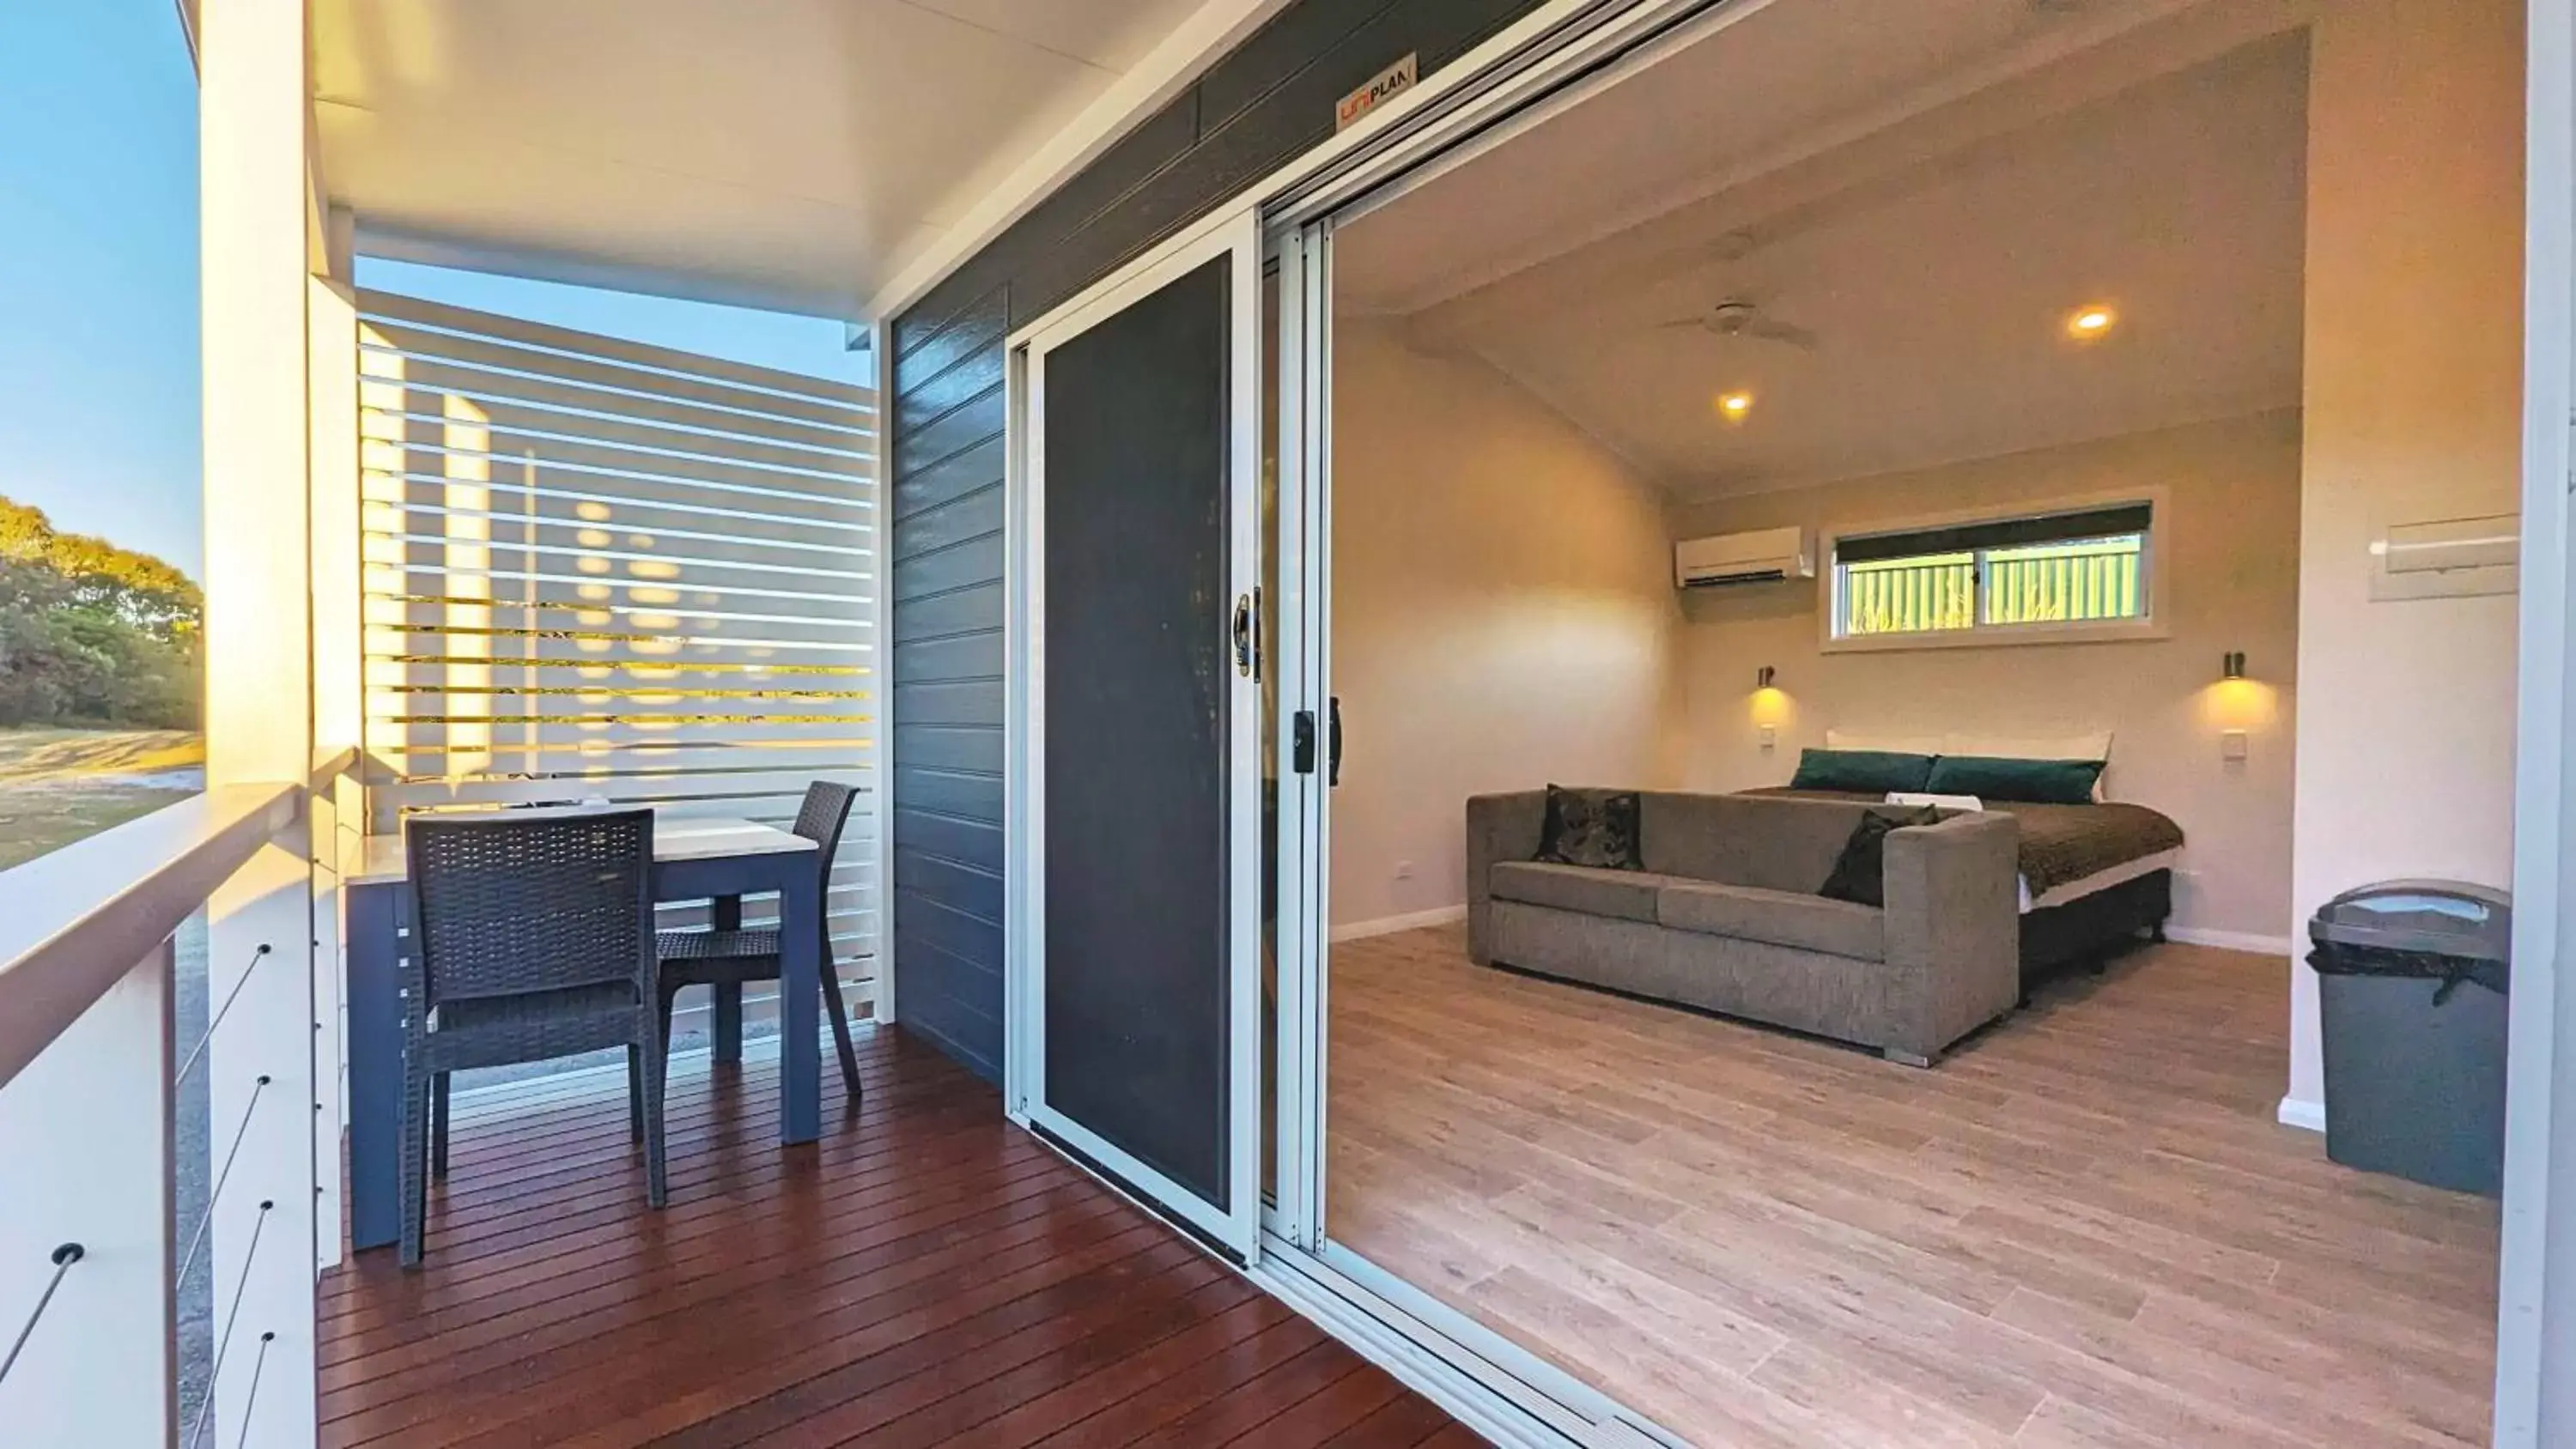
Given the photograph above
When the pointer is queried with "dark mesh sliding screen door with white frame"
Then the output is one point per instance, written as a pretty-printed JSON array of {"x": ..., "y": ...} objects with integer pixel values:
[{"x": 1148, "y": 701}]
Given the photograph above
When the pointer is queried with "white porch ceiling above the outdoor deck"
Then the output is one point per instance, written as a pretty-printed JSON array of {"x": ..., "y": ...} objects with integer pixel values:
[{"x": 777, "y": 153}]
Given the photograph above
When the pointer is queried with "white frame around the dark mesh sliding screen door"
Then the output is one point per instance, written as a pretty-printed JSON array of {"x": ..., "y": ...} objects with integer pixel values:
[{"x": 1235, "y": 1226}]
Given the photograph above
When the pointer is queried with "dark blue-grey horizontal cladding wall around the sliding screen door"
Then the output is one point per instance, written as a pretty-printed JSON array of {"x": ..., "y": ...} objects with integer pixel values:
[{"x": 1243, "y": 120}]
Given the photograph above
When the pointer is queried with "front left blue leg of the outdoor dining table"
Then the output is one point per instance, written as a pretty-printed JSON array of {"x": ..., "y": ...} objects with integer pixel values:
[{"x": 375, "y": 1064}]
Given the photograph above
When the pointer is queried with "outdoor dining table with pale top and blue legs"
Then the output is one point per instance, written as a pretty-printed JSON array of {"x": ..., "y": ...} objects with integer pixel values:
[{"x": 692, "y": 861}]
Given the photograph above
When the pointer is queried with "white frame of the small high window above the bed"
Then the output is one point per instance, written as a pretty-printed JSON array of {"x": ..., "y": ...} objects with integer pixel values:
[{"x": 2150, "y": 627}]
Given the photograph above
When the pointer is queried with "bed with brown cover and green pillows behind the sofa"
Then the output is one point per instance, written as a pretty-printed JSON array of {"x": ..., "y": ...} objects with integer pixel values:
[{"x": 2093, "y": 876}]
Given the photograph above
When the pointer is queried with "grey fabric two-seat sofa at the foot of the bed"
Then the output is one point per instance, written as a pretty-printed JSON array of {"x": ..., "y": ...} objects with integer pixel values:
[{"x": 1727, "y": 918}]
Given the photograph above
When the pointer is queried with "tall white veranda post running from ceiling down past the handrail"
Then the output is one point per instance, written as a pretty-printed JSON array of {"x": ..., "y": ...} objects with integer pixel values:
[{"x": 261, "y": 238}]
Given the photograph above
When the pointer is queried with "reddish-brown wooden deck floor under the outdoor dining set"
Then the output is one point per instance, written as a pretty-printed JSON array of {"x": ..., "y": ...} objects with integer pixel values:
[{"x": 926, "y": 1275}]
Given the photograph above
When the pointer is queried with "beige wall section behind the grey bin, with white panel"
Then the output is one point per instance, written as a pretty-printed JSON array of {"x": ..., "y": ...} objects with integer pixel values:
[{"x": 2412, "y": 411}]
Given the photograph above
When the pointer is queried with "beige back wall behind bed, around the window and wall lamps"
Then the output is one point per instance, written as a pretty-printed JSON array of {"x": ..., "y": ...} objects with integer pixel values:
[{"x": 2230, "y": 539}]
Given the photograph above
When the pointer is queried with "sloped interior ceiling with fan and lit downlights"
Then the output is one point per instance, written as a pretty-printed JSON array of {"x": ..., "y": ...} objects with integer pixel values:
[{"x": 1931, "y": 205}]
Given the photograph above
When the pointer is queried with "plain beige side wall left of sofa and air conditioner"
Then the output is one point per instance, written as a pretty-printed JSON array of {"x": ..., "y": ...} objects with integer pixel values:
[{"x": 1503, "y": 616}]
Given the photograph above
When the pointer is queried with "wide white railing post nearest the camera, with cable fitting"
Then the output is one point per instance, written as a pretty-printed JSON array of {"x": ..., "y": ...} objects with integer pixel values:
[{"x": 86, "y": 1180}]
